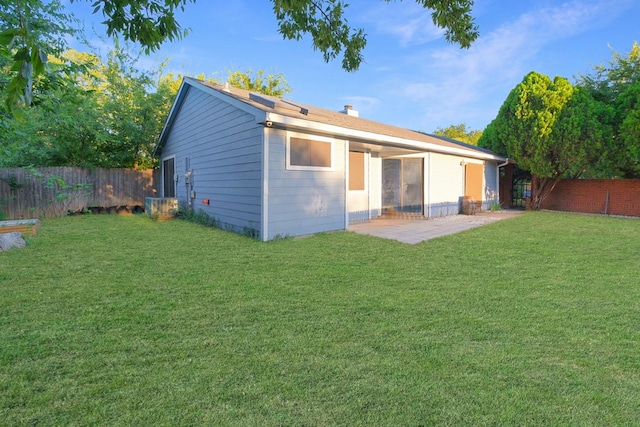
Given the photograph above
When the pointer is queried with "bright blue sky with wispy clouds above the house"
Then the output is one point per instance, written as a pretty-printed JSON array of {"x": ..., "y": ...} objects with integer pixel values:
[{"x": 411, "y": 76}]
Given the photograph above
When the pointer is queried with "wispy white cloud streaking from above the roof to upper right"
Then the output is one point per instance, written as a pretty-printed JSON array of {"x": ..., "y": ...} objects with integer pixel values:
[{"x": 455, "y": 79}]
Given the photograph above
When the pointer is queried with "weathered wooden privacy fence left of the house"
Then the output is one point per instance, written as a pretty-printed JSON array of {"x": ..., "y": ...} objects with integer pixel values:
[{"x": 51, "y": 192}]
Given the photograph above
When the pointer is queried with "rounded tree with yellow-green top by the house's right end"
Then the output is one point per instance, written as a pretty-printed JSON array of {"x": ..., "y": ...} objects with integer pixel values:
[{"x": 550, "y": 129}]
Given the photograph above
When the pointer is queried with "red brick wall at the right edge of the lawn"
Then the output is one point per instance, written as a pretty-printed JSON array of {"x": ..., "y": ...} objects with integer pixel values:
[{"x": 590, "y": 196}]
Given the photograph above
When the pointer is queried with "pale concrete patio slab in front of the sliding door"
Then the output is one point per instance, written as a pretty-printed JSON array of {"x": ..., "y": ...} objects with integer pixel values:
[{"x": 418, "y": 230}]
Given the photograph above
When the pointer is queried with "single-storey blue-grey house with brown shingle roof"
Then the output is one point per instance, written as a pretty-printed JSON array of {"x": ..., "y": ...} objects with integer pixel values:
[{"x": 275, "y": 167}]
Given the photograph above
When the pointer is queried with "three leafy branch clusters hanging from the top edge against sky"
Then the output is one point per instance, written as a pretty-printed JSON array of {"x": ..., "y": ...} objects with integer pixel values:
[{"x": 151, "y": 22}]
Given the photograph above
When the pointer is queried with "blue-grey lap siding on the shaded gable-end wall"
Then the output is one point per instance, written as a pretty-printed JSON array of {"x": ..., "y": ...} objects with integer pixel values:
[{"x": 224, "y": 145}]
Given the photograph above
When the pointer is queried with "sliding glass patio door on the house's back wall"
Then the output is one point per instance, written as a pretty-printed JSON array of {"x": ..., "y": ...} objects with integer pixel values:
[{"x": 402, "y": 185}]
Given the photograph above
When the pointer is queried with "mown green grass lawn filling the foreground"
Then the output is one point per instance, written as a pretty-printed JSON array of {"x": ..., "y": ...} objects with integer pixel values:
[{"x": 109, "y": 320}]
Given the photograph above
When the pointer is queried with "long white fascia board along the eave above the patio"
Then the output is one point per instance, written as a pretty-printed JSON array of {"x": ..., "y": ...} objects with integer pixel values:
[{"x": 371, "y": 137}]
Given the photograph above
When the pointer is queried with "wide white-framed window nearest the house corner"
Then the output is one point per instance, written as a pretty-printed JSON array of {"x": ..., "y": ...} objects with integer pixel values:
[{"x": 309, "y": 154}]
